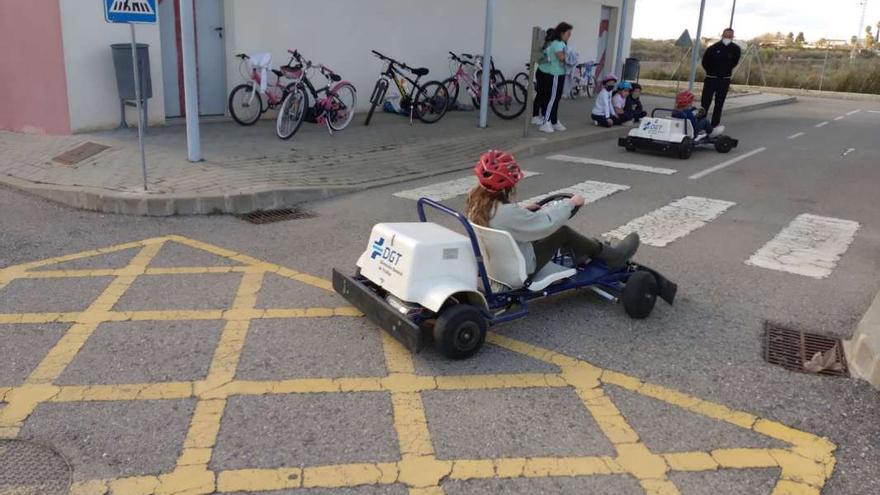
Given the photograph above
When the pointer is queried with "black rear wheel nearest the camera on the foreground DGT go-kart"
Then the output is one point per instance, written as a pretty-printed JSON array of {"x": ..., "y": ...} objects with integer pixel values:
[{"x": 460, "y": 331}]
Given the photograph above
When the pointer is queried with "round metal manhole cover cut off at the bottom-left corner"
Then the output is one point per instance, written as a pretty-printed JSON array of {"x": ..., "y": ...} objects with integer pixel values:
[{"x": 31, "y": 469}]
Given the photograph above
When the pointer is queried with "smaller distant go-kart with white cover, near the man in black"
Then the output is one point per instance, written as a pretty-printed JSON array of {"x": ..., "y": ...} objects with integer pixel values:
[{"x": 672, "y": 135}]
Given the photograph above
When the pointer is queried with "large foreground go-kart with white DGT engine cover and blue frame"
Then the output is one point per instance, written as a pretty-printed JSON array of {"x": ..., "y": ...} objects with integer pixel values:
[{"x": 416, "y": 276}]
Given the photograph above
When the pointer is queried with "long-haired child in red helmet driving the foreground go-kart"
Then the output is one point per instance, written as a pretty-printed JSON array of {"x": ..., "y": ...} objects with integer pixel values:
[{"x": 538, "y": 231}]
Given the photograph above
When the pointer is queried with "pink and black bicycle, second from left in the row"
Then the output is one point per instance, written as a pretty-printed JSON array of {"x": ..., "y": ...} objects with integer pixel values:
[{"x": 335, "y": 109}]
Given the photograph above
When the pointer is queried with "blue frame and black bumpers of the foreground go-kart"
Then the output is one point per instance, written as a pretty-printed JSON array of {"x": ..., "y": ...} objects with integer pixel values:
[{"x": 407, "y": 328}]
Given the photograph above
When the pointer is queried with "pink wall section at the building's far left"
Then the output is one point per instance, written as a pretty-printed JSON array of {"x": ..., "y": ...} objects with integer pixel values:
[{"x": 33, "y": 85}]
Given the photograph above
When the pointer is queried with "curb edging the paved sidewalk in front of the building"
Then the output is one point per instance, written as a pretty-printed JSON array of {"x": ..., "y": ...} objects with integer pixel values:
[{"x": 139, "y": 203}]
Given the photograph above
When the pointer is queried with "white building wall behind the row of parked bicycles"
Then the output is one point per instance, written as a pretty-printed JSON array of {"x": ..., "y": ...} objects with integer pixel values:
[{"x": 341, "y": 34}]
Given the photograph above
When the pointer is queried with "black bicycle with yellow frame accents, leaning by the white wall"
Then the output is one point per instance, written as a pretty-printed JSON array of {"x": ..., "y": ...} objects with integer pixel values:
[{"x": 427, "y": 102}]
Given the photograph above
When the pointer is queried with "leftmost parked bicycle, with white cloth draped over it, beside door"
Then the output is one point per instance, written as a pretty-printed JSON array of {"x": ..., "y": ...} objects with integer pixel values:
[{"x": 246, "y": 101}]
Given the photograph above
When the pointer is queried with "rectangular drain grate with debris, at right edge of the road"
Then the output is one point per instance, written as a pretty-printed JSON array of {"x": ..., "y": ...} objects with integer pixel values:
[{"x": 796, "y": 351}]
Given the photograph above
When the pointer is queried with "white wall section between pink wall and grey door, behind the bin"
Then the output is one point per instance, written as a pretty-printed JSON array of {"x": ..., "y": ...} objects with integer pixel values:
[{"x": 91, "y": 79}]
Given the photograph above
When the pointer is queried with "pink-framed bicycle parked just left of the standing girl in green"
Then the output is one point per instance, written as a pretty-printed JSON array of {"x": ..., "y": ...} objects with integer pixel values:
[{"x": 504, "y": 95}]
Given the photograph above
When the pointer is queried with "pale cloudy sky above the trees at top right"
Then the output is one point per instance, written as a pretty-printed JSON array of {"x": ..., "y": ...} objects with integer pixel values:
[{"x": 831, "y": 19}]
